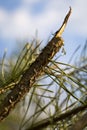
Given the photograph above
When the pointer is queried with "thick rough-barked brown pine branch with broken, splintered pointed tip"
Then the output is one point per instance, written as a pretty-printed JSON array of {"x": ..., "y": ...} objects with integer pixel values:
[{"x": 33, "y": 72}]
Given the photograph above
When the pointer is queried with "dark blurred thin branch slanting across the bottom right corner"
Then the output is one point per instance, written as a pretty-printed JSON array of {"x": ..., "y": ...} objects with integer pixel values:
[{"x": 49, "y": 121}]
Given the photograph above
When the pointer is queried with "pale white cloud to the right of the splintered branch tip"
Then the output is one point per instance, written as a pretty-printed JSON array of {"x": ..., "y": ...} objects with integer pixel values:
[{"x": 79, "y": 18}]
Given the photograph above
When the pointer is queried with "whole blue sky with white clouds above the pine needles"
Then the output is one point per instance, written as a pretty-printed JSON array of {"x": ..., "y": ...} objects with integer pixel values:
[{"x": 20, "y": 19}]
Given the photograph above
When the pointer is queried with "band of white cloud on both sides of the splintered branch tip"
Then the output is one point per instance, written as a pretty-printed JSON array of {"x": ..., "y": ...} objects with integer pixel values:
[{"x": 22, "y": 24}]
